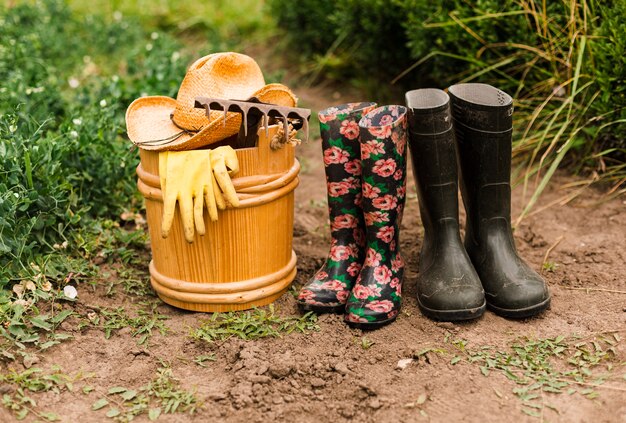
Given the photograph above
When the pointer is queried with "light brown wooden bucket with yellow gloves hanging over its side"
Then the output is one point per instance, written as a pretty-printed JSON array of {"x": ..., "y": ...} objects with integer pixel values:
[{"x": 245, "y": 259}]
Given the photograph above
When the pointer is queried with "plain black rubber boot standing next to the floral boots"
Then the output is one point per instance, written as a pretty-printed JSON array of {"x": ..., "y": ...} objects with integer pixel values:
[{"x": 448, "y": 287}]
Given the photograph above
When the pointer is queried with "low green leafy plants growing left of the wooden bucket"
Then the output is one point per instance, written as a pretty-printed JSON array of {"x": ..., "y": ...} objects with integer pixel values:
[{"x": 66, "y": 169}]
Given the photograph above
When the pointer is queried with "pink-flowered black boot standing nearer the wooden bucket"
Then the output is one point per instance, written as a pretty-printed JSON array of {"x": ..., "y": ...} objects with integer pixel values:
[{"x": 328, "y": 290}]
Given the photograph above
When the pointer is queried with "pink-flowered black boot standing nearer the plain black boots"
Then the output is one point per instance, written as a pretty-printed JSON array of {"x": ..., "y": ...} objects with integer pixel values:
[{"x": 377, "y": 295}]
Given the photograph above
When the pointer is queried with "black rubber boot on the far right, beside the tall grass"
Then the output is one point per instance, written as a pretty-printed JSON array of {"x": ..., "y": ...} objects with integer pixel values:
[{"x": 483, "y": 124}]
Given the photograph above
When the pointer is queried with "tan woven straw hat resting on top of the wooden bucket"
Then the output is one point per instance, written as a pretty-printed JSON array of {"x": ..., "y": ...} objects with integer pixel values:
[{"x": 161, "y": 123}]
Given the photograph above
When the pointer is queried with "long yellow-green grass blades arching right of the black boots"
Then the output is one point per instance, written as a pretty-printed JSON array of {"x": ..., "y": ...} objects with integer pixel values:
[{"x": 565, "y": 117}]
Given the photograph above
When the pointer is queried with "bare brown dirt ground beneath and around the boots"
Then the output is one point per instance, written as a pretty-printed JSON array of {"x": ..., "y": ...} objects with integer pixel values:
[{"x": 327, "y": 376}]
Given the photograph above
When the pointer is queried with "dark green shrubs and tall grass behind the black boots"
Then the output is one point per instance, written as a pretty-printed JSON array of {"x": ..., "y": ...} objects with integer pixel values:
[{"x": 563, "y": 61}]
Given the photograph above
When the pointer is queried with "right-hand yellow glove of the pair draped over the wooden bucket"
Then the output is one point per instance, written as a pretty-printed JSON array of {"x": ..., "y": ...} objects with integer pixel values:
[{"x": 224, "y": 164}]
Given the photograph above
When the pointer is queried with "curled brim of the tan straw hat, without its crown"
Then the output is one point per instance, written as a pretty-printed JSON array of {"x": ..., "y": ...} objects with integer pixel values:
[{"x": 150, "y": 126}]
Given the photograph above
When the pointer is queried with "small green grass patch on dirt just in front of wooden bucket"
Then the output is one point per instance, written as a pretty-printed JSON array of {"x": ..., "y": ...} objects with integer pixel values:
[{"x": 252, "y": 325}]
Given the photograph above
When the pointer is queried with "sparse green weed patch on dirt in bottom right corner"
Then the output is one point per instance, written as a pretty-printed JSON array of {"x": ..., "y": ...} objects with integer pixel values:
[{"x": 541, "y": 368}]
